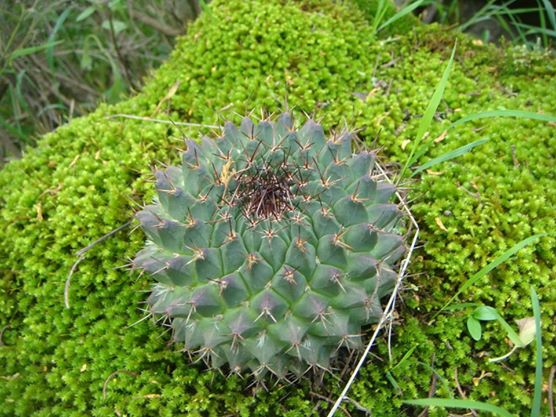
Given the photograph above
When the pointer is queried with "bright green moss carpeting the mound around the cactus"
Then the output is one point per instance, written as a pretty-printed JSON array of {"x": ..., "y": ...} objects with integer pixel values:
[{"x": 98, "y": 358}]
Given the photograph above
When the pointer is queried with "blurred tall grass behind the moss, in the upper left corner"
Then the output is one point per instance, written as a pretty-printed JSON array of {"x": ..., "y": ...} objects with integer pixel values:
[{"x": 59, "y": 58}]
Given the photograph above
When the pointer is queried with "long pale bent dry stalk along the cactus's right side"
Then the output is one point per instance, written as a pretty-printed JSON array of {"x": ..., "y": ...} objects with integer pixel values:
[{"x": 389, "y": 306}]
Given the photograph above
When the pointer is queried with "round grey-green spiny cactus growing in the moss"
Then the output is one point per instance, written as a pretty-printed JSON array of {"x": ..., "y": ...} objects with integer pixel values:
[{"x": 271, "y": 247}]
